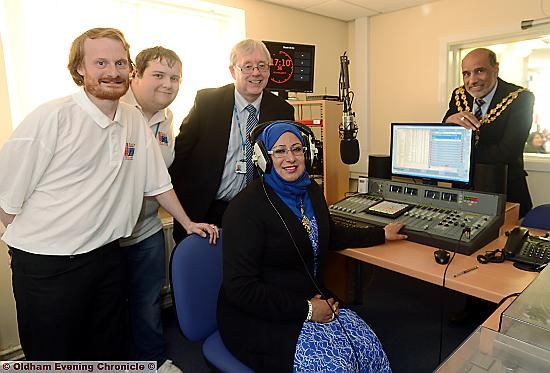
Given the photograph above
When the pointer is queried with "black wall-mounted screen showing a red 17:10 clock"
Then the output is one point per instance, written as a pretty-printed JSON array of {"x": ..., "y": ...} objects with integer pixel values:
[{"x": 292, "y": 68}]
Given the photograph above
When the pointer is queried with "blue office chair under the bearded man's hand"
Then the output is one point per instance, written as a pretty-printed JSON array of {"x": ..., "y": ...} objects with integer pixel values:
[{"x": 196, "y": 277}]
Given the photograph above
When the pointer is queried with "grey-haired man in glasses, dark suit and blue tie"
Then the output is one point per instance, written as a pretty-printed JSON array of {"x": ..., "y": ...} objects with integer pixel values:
[{"x": 211, "y": 157}]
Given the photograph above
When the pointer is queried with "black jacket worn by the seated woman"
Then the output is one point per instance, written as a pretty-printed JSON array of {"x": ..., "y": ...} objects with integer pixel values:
[{"x": 263, "y": 300}]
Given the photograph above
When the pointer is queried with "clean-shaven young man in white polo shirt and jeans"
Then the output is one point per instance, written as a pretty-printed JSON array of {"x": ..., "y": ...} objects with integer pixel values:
[{"x": 154, "y": 86}]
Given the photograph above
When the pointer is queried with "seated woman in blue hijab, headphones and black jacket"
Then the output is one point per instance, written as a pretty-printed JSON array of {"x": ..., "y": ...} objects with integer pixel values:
[{"x": 273, "y": 312}]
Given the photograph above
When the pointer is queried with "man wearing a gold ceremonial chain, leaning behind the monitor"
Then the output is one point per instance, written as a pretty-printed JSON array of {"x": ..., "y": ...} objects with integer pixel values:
[{"x": 501, "y": 113}]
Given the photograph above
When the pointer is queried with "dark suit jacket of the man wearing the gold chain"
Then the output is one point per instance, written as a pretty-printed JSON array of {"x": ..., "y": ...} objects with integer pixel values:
[{"x": 502, "y": 141}]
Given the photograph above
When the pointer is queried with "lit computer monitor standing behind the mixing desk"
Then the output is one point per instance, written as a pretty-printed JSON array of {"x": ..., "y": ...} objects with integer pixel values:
[{"x": 432, "y": 151}]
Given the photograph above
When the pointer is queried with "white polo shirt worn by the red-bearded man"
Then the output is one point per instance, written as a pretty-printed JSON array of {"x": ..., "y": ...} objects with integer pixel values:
[{"x": 75, "y": 179}]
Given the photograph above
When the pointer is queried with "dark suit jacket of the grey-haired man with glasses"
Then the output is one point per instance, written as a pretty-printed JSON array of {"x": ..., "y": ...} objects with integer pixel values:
[{"x": 201, "y": 146}]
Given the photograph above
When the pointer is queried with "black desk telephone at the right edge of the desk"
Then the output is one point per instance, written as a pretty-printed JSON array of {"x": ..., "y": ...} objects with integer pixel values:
[{"x": 529, "y": 252}]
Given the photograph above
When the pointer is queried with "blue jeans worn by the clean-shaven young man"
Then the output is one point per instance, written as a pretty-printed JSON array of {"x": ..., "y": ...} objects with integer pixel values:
[{"x": 146, "y": 276}]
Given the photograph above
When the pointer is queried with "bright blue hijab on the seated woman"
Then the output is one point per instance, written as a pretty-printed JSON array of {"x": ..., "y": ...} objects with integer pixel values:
[{"x": 291, "y": 192}]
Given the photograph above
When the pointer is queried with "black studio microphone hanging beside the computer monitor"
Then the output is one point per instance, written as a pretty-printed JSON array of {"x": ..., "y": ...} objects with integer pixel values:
[{"x": 349, "y": 146}]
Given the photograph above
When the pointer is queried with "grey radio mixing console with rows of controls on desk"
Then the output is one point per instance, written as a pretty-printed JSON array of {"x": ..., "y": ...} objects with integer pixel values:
[{"x": 434, "y": 216}]
